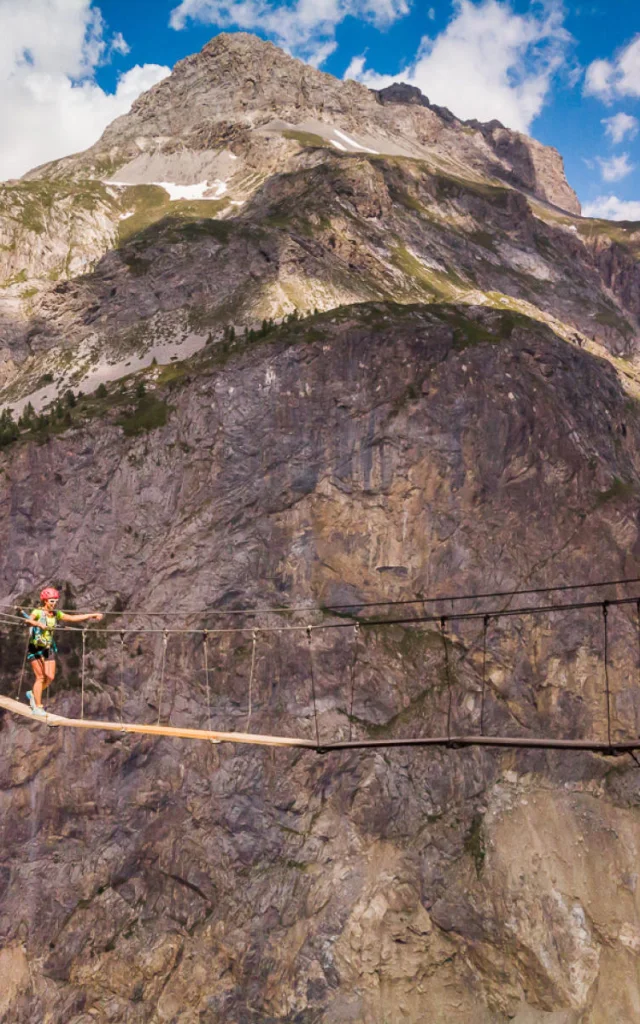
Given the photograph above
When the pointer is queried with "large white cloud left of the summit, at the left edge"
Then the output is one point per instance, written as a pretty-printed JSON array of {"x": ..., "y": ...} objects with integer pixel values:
[{"x": 51, "y": 105}]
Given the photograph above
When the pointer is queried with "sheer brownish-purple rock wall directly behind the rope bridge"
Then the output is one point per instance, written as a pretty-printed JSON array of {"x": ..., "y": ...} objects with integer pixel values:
[{"x": 369, "y": 455}]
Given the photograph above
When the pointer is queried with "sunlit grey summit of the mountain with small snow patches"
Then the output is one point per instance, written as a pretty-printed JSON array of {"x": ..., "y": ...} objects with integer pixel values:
[{"x": 242, "y": 88}]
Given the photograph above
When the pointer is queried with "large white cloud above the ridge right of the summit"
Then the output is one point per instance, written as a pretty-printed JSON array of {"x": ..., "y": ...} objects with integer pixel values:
[{"x": 488, "y": 63}]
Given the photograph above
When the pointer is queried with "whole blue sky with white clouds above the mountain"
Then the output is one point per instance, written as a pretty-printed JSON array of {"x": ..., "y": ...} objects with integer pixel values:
[{"x": 569, "y": 73}]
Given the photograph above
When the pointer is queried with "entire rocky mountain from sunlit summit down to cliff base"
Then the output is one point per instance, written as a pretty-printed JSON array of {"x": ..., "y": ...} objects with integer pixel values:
[{"x": 284, "y": 344}]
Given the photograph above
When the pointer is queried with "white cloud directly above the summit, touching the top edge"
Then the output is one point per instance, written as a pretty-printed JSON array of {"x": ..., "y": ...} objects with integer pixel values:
[{"x": 307, "y": 28}]
